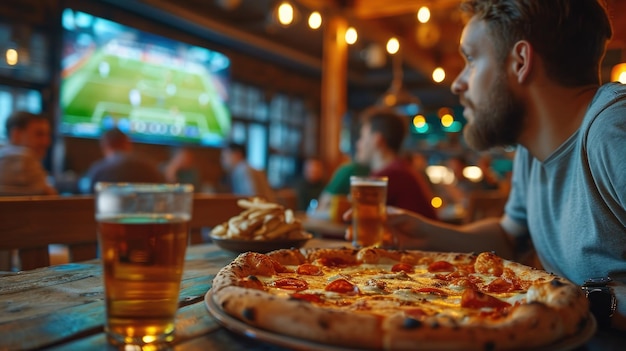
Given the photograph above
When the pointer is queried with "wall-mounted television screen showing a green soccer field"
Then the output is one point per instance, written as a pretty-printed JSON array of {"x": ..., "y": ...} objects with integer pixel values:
[{"x": 155, "y": 89}]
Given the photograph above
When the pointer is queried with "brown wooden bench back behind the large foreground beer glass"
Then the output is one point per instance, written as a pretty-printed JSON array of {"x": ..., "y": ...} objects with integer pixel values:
[{"x": 30, "y": 224}]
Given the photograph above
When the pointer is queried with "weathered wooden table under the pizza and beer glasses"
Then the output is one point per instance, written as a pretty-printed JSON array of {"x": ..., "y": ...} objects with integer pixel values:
[{"x": 62, "y": 308}]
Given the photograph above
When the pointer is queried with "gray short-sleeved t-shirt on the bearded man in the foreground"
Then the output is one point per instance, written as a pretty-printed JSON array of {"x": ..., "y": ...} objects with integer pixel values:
[{"x": 574, "y": 203}]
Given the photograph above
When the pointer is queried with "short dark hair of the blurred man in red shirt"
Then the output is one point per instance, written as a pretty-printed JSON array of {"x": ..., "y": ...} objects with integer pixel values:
[{"x": 391, "y": 125}]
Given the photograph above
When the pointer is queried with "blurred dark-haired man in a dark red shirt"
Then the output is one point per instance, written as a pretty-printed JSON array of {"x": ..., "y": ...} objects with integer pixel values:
[{"x": 380, "y": 140}]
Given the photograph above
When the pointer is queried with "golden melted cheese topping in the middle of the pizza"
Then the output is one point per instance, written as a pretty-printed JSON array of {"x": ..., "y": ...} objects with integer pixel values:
[{"x": 383, "y": 291}]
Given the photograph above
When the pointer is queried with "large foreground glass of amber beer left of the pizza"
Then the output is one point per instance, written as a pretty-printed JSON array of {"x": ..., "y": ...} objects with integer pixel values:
[{"x": 143, "y": 233}]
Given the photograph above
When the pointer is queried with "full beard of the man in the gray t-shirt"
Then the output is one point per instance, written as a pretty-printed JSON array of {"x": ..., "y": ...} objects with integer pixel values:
[{"x": 498, "y": 122}]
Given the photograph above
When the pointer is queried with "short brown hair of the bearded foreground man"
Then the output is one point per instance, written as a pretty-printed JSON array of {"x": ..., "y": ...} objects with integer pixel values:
[{"x": 570, "y": 36}]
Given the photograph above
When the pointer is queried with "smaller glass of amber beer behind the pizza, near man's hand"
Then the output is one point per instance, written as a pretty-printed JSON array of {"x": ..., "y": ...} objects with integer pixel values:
[{"x": 369, "y": 196}]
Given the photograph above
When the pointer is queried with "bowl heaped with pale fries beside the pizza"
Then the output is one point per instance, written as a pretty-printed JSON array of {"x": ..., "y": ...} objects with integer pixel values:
[{"x": 260, "y": 227}]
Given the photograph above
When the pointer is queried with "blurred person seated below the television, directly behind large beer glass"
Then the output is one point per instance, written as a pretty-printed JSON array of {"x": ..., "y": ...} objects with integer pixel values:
[{"x": 120, "y": 164}]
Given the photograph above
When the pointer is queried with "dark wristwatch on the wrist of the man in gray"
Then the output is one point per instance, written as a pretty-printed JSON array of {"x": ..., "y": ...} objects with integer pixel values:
[{"x": 602, "y": 301}]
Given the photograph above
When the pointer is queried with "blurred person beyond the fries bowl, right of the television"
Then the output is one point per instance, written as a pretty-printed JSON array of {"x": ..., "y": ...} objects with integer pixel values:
[{"x": 241, "y": 178}]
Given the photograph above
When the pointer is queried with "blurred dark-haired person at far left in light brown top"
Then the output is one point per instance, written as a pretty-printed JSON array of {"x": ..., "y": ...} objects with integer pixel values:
[{"x": 21, "y": 170}]
